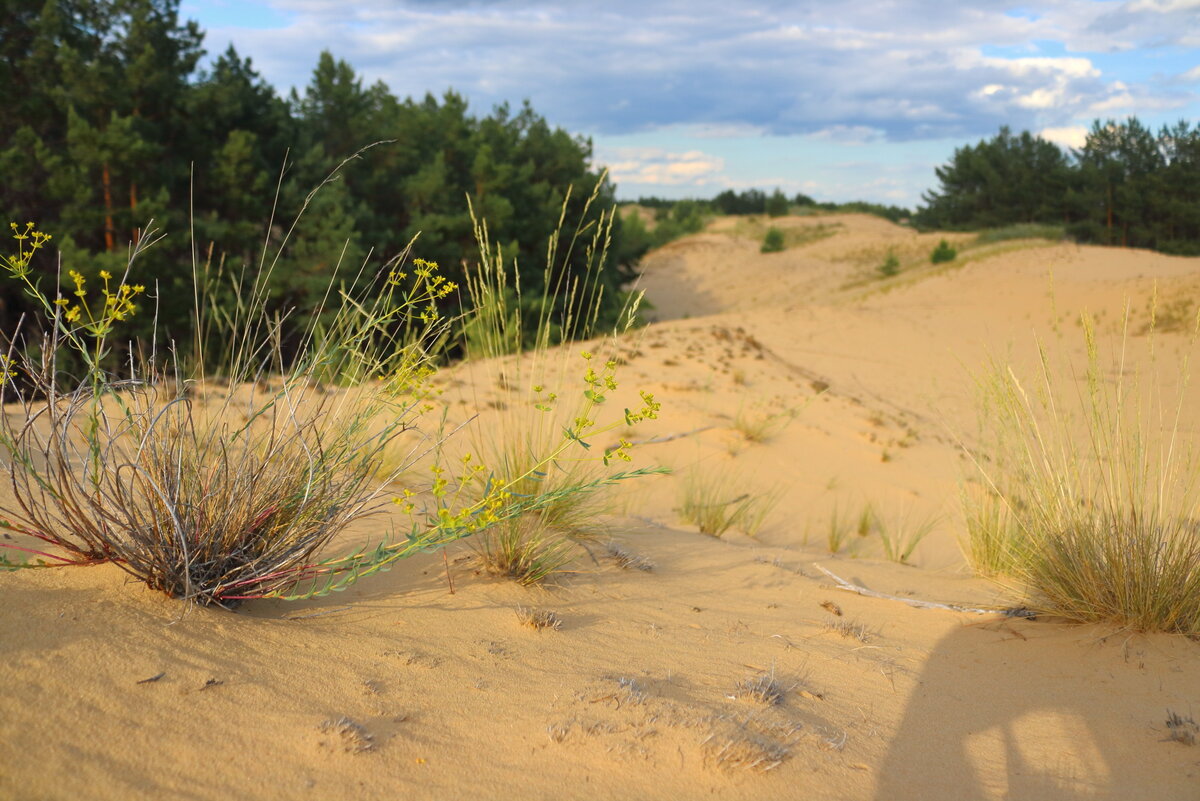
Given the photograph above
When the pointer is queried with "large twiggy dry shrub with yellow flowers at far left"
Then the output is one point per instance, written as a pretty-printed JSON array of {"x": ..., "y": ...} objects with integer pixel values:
[{"x": 212, "y": 492}]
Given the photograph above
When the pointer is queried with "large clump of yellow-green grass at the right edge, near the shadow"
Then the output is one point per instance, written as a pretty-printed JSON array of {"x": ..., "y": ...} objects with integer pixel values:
[{"x": 1090, "y": 497}]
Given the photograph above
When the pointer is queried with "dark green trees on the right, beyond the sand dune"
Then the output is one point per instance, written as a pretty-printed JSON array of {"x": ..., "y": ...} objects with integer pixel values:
[{"x": 1126, "y": 186}]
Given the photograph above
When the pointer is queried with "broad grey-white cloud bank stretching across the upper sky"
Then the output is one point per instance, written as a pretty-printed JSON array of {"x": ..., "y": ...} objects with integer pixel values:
[{"x": 909, "y": 71}]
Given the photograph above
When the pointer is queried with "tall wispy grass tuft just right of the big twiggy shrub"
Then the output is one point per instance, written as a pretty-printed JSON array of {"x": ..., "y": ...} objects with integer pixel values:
[{"x": 553, "y": 475}]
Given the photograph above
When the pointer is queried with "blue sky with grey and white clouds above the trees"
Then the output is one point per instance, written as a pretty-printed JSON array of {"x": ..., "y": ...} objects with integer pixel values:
[{"x": 686, "y": 99}]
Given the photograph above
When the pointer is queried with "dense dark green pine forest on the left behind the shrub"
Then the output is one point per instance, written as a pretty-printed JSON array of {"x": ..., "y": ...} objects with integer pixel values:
[{"x": 110, "y": 123}]
